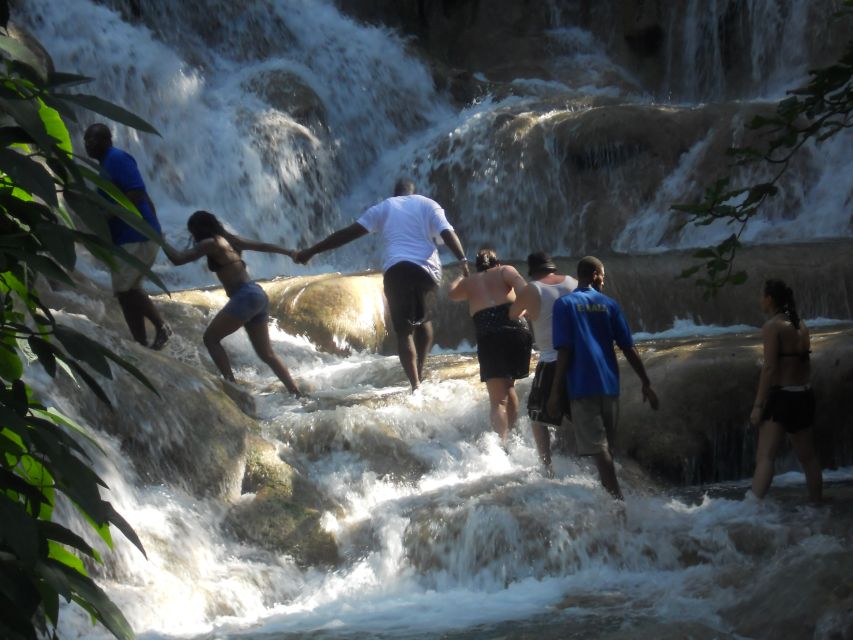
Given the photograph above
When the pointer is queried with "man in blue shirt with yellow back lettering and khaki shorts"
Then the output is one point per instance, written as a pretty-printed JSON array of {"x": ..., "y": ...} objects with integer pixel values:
[{"x": 586, "y": 324}]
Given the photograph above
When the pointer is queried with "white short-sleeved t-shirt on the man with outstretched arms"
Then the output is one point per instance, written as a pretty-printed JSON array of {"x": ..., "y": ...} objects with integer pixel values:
[{"x": 410, "y": 227}]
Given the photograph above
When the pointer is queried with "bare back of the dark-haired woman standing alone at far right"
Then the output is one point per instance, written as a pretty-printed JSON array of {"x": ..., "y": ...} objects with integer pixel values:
[{"x": 786, "y": 350}]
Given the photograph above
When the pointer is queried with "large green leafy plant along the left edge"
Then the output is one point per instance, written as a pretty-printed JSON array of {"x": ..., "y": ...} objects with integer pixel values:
[{"x": 41, "y": 455}]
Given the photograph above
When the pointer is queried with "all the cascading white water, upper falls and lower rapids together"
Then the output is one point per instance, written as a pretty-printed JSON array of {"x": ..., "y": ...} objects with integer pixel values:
[{"x": 288, "y": 118}]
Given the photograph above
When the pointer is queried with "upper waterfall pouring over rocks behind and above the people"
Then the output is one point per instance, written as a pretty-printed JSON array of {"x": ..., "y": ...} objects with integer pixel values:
[{"x": 288, "y": 119}]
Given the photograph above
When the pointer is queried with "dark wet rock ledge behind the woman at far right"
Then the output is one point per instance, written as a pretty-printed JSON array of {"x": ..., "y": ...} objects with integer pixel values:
[{"x": 706, "y": 390}]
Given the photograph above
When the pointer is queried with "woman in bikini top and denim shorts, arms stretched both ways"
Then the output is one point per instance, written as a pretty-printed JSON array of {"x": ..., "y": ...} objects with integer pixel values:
[{"x": 248, "y": 303}]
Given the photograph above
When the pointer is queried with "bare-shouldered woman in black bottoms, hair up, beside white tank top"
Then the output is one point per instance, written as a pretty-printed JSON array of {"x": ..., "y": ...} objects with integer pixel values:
[{"x": 503, "y": 344}]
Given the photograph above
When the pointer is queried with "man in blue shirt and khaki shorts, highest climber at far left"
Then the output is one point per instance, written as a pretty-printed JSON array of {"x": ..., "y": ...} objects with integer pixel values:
[{"x": 120, "y": 168}]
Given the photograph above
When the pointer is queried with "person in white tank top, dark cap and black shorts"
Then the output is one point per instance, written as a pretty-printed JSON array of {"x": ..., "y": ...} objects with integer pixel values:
[{"x": 536, "y": 301}]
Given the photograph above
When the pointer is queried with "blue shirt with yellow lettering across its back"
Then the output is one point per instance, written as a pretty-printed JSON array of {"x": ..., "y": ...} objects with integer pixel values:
[{"x": 589, "y": 323}]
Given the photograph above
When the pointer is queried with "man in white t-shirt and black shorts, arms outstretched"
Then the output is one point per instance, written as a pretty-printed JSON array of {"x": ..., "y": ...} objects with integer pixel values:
[{"x": 409, "y": 224}]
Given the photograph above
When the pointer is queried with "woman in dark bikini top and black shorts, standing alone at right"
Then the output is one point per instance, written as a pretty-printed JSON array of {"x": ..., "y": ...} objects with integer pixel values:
[{"x": 784, "y": 402}]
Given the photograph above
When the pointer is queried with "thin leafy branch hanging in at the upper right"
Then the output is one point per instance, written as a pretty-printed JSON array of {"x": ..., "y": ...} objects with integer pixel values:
[{"x": 817, "y": 111}]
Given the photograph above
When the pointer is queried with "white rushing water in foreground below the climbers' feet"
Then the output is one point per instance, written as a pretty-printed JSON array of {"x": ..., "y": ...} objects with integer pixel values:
[{"x": 442, "y": 532}]
